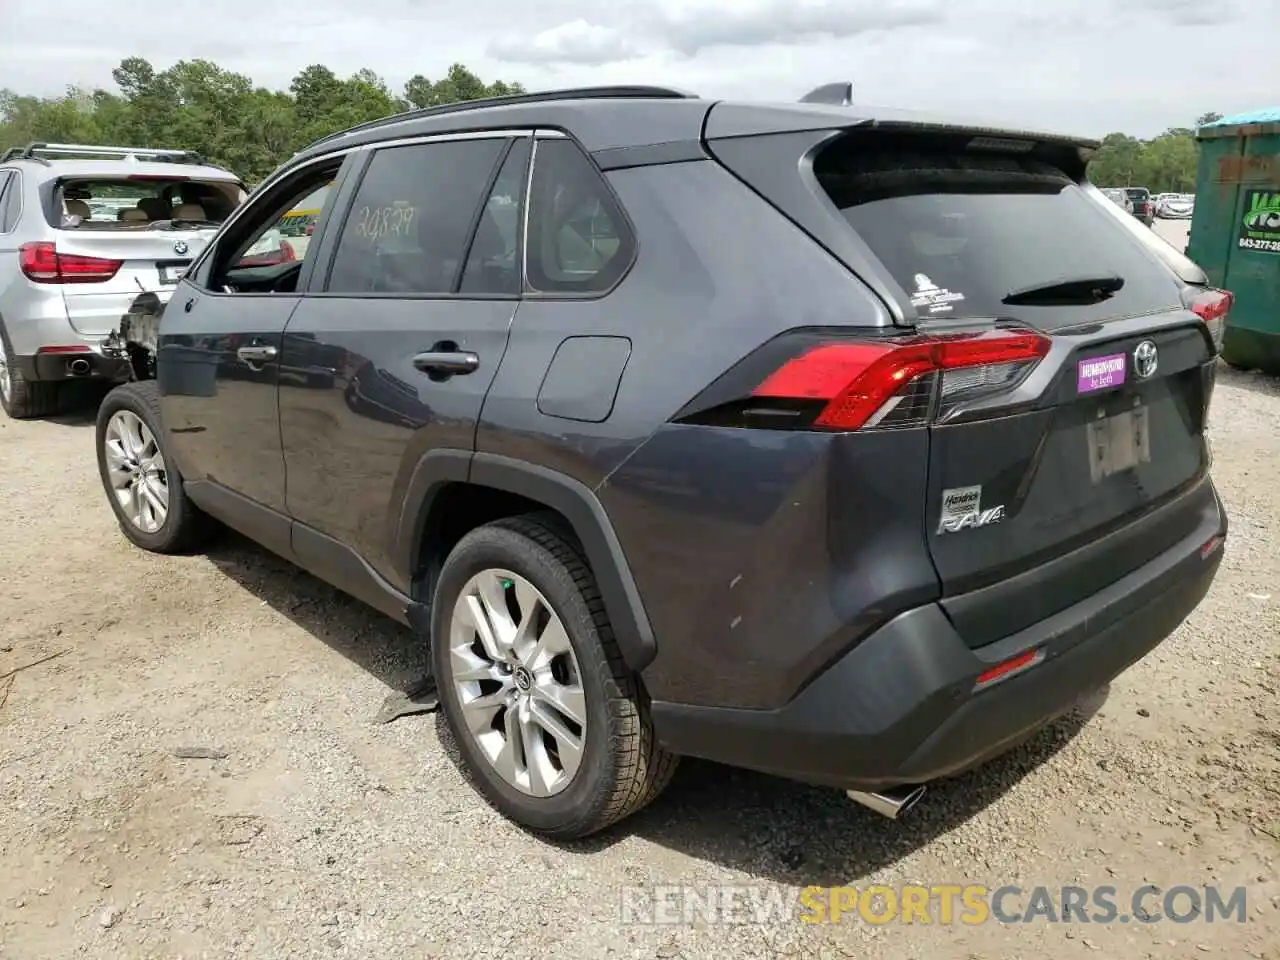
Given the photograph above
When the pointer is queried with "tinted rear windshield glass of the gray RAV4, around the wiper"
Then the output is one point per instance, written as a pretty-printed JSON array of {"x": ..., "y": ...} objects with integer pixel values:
[{"x": 962, "y": 231}]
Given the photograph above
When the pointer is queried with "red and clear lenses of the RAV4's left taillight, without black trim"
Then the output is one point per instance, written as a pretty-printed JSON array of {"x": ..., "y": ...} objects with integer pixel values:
[{"x": 861, "y": 383}]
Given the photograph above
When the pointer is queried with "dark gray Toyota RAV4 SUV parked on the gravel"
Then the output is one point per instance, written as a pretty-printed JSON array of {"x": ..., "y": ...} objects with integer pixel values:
[{"x": 844, "y": 445}]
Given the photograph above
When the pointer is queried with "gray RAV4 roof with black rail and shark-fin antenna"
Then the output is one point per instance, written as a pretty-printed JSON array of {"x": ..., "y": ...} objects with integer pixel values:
[{"x": 614, "y": 118}]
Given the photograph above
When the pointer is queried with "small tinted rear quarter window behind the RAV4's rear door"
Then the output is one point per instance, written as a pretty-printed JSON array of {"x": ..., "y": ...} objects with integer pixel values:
[{"x": 579, "y": 241}]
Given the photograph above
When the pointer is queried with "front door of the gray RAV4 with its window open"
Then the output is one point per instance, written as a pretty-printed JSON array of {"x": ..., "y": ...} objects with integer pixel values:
[{"x": 220, "y": 353}]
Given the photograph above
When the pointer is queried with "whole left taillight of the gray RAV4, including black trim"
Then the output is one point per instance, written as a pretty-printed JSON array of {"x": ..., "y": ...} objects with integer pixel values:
[{"x": 834, "y": 385}]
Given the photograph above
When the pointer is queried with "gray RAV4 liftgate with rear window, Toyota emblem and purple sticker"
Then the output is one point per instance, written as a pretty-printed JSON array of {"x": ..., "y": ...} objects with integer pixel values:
[{"x": 1104, "y": 429}]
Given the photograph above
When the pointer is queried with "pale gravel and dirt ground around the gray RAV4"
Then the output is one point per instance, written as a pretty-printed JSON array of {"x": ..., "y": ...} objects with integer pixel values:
[{"x": 323, "y": 834}]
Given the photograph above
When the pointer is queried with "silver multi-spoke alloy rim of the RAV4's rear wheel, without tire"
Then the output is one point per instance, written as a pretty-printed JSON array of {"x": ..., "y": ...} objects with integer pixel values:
[{"x": 518, "y": 682}]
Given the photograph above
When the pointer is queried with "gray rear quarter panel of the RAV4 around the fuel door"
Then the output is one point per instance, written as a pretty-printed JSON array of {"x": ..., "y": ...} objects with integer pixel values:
[{"x": 748, "y": 548}]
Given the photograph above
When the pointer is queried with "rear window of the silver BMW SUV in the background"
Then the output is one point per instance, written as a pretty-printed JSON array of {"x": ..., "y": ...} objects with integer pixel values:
[{"x": 140, "y": 204}]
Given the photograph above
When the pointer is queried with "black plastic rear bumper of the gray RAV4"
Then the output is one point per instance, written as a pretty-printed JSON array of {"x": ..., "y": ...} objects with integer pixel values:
[{"x": 902, "y": 706}]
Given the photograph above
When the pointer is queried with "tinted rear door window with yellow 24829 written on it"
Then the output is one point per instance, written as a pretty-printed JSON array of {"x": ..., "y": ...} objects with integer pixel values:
[{"x": 410, "y": 222}]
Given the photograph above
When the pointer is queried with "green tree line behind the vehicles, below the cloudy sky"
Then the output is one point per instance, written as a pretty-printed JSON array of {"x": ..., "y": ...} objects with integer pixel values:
[{"x": 221, "y": 115}]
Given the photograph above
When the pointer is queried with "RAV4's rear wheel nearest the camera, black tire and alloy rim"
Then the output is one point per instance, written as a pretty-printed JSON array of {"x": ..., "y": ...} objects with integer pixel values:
[{"x": 552, "y": 728}]
